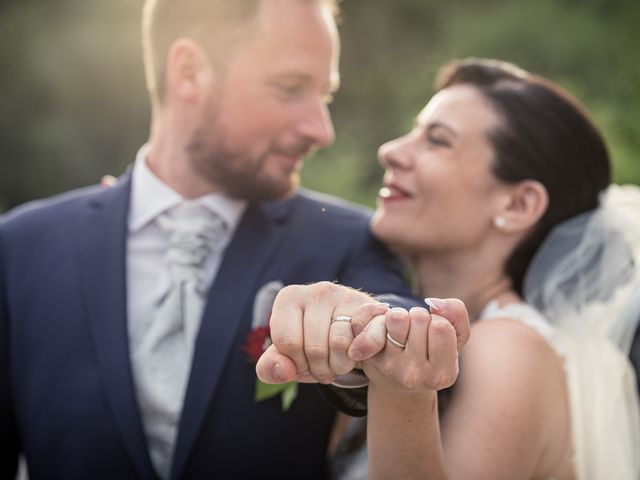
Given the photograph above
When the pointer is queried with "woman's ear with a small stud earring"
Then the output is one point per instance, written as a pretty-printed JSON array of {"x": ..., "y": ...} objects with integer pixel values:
[{"x": 524, "y": 205}]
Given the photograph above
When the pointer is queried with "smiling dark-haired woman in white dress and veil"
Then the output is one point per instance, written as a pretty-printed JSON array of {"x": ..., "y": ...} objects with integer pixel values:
[{"x": 496, "y": 160}]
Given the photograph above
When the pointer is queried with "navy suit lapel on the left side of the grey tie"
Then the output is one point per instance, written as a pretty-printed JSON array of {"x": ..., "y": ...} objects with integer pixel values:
[{"x": 102, "y": 248}]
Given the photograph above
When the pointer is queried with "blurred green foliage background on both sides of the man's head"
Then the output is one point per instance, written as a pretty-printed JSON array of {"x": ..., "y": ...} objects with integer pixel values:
[{"x": 74, "y": 105}]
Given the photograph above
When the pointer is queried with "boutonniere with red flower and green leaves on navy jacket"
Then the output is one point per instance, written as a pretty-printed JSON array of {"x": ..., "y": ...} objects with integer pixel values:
[{"x": 259, "y": 339}]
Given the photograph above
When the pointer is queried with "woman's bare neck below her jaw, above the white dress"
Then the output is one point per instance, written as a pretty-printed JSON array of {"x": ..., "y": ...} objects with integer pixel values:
[{"x": 467, "y": 277}]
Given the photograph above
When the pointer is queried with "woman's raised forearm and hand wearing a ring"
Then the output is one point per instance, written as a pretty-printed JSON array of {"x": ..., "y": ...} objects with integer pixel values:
[{"x": 403, "y": 433}]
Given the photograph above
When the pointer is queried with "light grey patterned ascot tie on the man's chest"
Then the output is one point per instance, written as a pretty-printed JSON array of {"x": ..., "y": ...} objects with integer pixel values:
[{"x": 163, "y": 360}]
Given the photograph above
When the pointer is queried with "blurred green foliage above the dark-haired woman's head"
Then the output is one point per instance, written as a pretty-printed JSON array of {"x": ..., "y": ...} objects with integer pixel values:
[{"x": 392, "y": 50}]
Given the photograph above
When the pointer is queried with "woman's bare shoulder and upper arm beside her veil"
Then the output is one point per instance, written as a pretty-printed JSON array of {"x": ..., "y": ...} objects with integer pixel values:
[{"x": 511, "y": 392}]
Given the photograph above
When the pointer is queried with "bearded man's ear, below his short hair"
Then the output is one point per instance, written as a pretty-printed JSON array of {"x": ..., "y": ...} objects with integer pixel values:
[{"x": 189, "y": 72}]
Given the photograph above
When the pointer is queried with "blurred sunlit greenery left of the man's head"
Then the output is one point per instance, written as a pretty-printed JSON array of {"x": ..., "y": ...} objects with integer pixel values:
[{"x": 74, "y": 104}]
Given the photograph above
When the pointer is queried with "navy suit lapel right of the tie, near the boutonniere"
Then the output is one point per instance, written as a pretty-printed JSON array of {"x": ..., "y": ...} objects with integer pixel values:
[{"x": 258, "y": 234}]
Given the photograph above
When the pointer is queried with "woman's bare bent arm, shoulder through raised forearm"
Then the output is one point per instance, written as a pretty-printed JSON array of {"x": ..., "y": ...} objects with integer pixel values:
[{"x": 506, "y": 409}]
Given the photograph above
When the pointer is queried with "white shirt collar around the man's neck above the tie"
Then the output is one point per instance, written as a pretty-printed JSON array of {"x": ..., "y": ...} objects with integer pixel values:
[{"x": 150, "y": 197}]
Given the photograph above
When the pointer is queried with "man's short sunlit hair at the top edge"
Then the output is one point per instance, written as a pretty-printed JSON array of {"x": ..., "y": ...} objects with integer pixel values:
[{"x": 219, "y": 25}]
